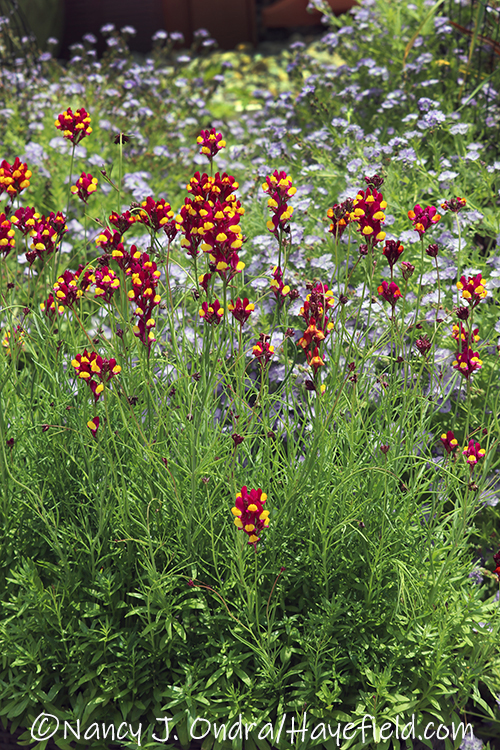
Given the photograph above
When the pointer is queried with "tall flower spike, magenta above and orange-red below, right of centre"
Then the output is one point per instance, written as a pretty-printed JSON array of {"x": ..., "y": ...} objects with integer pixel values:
[{"x": 317, "y": 303}]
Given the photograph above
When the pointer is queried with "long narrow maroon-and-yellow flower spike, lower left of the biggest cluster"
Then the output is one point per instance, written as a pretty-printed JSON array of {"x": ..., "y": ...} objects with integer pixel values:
[{"x": 144, "y": 276}]
